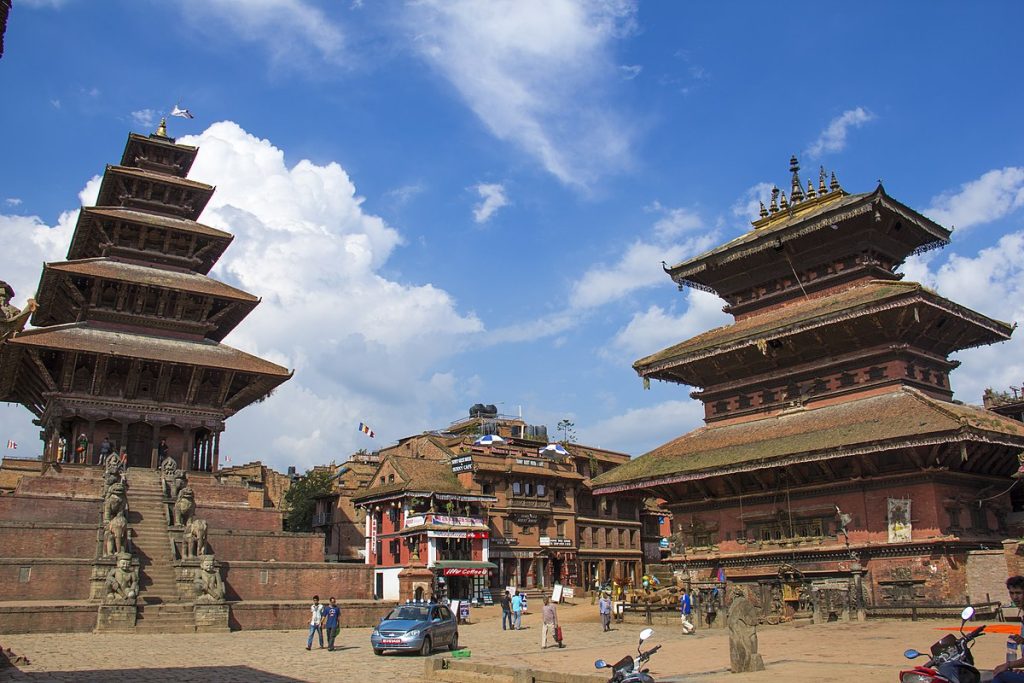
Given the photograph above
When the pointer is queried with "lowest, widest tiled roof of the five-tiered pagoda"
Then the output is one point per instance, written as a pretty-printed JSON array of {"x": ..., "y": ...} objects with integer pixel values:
[{"x": 81, "y": 337}]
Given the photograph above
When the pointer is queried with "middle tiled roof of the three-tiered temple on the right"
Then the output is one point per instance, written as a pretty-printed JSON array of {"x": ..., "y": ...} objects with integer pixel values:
[{"x": 789, "y": 319}]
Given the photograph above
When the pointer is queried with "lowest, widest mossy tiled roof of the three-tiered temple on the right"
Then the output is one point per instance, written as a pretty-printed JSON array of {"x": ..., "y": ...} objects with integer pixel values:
[{"x": 872, "y": 423}]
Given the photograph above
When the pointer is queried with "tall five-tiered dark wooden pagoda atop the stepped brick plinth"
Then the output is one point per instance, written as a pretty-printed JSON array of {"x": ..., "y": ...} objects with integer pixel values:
[{"x": 129, "y": 330}]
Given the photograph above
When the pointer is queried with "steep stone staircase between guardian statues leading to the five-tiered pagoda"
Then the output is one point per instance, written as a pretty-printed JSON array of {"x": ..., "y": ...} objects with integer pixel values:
[{"x": 160, "y": 610}]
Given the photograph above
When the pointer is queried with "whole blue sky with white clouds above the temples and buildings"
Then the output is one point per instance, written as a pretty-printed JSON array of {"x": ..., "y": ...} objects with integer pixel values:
[{"x": 451, "y": 203}]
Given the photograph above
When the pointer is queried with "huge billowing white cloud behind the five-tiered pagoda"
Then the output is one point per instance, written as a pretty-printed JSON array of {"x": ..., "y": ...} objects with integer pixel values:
[{"x": 363, "y": 348}]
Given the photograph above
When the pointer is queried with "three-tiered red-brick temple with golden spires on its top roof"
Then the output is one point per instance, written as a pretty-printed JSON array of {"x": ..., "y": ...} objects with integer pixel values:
[{"x": 833, "y": 451}]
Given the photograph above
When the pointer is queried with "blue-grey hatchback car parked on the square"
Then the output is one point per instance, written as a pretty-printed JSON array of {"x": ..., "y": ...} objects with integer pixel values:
[{"x": 417, "y": 627}]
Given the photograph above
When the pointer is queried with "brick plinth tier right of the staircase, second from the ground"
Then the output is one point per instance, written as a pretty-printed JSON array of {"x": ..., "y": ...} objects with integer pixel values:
[{"x": 292, "y": 581}]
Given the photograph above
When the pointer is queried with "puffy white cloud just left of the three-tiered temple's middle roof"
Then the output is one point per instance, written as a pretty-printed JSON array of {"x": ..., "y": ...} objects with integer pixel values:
[{"x": 655, "y": 329}]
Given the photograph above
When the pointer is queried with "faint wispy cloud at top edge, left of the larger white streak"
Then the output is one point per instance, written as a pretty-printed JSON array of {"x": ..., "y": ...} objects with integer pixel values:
[{"x": 294, "y": 32}]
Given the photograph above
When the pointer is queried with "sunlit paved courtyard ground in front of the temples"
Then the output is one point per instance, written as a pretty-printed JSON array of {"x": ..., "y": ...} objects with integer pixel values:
[{"x": 841, "y": 653}]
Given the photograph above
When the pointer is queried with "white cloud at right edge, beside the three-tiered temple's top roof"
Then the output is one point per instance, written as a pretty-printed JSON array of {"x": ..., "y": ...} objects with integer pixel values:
[{"x": 990, "y": 198}]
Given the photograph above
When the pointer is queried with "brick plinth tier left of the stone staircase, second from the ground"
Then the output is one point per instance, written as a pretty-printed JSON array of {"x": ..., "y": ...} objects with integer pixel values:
[{"x": 49, "y": 580}]
